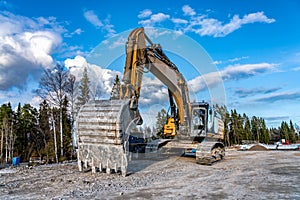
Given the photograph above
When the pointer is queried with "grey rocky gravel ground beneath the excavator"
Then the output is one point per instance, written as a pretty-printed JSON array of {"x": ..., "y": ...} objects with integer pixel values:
[{"x": 242, "y": 175}]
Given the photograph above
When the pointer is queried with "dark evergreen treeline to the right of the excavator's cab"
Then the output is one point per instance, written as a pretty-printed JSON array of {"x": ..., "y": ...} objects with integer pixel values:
[{"x": 240, "y": 128}]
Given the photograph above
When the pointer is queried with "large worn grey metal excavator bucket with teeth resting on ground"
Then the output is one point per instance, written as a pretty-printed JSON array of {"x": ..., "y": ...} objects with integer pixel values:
[{"x": 102, "y": 128}]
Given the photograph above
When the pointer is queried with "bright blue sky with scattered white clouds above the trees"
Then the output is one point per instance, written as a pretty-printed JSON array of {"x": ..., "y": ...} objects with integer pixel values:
[{"x": 254, "y": 45}]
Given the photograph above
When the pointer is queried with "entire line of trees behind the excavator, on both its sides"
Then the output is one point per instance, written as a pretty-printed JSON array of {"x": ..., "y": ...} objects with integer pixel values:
[{"x": 46, "y": 132}]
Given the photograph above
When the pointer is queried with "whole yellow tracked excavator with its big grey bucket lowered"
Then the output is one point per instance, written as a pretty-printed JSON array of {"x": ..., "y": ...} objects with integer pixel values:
[{"x": 103, "y": 126}]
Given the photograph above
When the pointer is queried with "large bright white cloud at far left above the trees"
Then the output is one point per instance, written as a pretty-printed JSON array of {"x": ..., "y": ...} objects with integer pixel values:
[{"x": 26, "y": 46}]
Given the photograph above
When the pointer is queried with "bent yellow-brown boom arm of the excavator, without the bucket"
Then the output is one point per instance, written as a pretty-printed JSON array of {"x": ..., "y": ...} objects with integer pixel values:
[{"x": 140, "y": 56}]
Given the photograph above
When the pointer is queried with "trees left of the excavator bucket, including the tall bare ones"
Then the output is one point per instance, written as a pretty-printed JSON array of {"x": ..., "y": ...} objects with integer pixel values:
[{"x": 44, "y": 132}]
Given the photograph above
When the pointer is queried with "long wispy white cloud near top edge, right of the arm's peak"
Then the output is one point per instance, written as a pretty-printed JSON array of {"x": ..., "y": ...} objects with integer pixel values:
[{"x": 201, "y": 24}]
